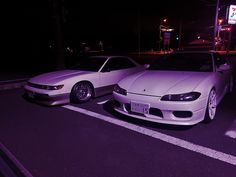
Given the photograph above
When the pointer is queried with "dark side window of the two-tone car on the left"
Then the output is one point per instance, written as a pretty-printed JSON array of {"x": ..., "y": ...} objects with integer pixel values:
[{"x": 118, "y": 63}]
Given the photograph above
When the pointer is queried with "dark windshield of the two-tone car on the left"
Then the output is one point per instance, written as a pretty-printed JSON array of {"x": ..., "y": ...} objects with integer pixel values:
[{"x": 90, "y": 64}]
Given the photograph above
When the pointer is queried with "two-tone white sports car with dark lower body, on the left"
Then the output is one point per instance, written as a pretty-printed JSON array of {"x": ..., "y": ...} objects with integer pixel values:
[{"x": 92, "y": 77}]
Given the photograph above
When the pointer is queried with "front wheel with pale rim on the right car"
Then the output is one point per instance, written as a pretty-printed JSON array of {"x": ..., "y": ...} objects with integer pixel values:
[{"x": 211, "y": 107}]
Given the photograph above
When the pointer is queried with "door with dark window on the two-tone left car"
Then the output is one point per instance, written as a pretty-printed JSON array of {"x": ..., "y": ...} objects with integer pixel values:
[{"x": 115, "y": 69}]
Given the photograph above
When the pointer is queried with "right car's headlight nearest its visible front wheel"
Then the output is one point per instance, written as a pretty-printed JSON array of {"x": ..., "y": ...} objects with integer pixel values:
[{"x": 191, "y": 96}]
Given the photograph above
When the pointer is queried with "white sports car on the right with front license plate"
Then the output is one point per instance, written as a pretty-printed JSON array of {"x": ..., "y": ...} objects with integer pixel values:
[{"x": 182, "y": 88}]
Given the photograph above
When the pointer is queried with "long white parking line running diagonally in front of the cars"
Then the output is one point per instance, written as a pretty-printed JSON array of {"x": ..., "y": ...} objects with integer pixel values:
[{"x": 160, "y": 136}]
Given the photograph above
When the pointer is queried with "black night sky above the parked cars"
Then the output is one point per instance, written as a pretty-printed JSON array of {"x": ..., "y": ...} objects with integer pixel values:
[{"x": 30, "y": 27}]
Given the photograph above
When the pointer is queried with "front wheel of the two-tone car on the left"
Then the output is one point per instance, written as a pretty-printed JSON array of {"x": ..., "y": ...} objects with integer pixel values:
[{"x": 81, "y": 92}]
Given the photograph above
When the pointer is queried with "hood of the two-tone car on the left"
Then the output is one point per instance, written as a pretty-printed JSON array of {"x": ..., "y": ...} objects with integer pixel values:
[{"x": 57, "y": 76}]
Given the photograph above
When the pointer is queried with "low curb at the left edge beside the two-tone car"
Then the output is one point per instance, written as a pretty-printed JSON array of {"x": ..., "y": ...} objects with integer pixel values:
[{"x": 13, "y": 84}]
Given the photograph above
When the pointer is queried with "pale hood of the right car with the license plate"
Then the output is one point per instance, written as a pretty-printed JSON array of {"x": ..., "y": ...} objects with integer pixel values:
[{"x": 158, "y": 83}]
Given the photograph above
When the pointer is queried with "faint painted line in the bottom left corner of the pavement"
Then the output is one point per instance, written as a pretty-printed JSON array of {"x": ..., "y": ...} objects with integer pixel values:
[{"x": 22, "y": 169}]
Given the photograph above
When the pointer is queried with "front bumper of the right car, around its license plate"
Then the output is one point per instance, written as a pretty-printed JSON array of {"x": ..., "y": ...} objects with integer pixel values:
[{"x": 167, "y": 112}]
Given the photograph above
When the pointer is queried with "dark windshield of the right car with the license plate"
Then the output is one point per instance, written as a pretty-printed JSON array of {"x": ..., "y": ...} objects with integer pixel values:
[{"x": 200, "y": 62}]
